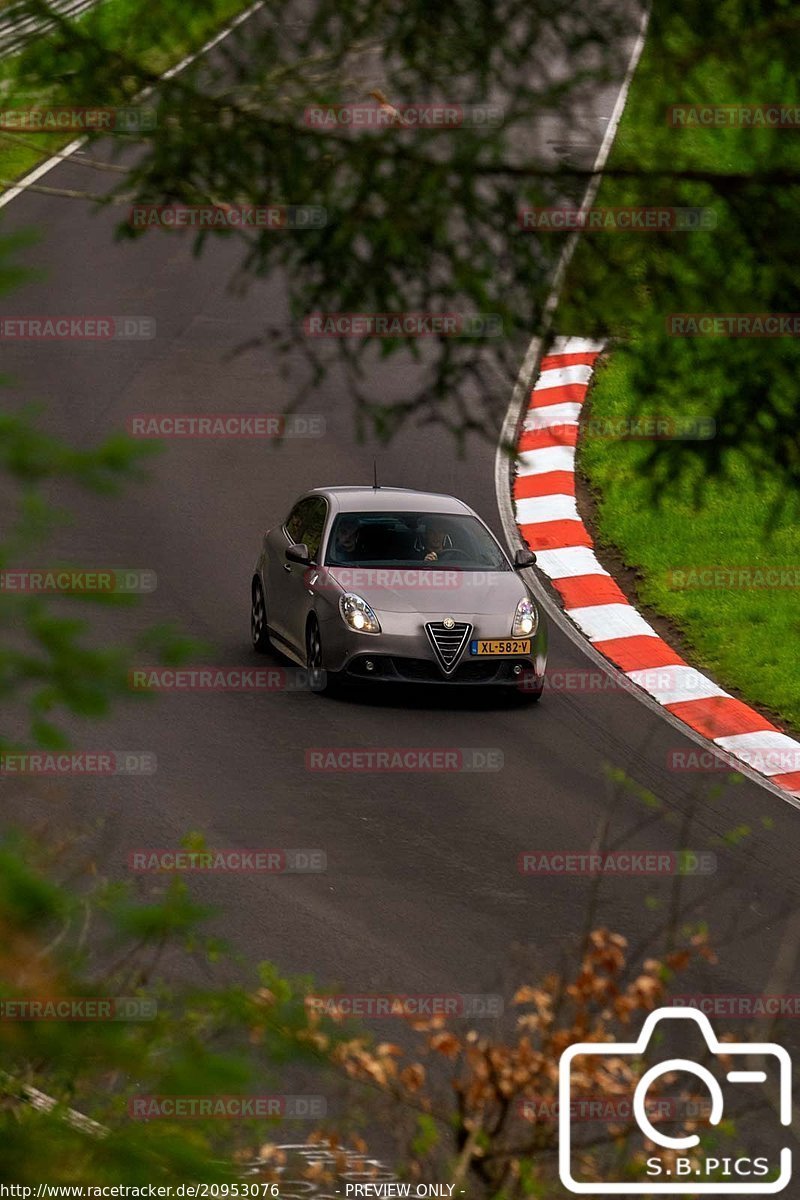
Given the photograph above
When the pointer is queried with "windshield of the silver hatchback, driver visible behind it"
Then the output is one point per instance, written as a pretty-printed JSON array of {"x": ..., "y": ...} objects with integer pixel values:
[{"x": 422, "y": 541}]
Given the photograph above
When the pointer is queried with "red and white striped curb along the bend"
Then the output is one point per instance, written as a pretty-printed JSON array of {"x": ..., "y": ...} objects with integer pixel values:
[{"x": 549, "y": 520}]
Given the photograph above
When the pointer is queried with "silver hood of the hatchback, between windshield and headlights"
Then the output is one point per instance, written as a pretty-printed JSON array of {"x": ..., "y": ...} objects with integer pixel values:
[{"x": 434, "y": 593}]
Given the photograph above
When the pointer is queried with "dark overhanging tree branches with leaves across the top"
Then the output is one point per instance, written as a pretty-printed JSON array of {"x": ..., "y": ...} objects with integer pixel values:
[{"x": 426, "y": 219}]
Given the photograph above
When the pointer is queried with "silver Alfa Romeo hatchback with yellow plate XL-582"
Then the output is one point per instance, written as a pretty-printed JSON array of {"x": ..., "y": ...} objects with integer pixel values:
[{"x": 394, "y": 586}]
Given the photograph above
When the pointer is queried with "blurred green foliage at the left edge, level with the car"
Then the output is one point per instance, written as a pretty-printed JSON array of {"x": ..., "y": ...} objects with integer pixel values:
[{"x": 50, "y": 662}]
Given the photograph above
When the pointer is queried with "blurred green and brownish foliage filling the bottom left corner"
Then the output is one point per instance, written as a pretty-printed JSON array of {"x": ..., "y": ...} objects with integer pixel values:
[{"x": 166, "y": 1039}]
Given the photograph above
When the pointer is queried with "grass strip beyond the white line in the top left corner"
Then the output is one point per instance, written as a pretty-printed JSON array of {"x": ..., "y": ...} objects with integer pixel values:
[{"x": 32, "y": 79}]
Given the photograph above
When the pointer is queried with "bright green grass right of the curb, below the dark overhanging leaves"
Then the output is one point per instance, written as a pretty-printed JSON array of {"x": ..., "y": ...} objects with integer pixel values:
[{"x": 748, "y": 638}]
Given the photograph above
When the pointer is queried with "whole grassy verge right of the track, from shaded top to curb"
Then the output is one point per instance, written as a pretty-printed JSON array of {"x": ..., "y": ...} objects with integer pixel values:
[{"x": 721, "y": 503}]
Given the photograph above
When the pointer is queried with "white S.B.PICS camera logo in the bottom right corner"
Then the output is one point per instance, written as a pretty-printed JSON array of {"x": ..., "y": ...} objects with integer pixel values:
[{"x": 671, "y": 1150}]
